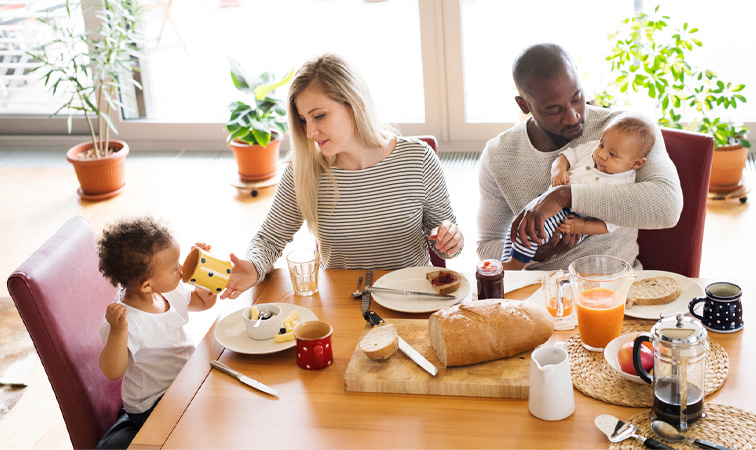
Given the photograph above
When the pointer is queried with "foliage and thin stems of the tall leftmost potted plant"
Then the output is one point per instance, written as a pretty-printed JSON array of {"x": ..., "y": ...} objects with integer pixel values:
[{"x": 90, "y": 67}]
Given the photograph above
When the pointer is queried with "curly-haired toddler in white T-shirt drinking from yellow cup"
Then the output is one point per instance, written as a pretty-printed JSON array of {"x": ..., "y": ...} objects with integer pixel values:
[{"x": 143, "y": 329}]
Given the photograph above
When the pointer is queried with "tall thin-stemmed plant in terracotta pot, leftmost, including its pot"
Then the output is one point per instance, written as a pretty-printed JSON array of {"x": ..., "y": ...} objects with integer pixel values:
[{"x": 89, "y": 67}]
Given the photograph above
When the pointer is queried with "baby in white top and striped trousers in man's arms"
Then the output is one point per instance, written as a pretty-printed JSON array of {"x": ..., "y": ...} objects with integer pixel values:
[{"x": 622, "y": 149}]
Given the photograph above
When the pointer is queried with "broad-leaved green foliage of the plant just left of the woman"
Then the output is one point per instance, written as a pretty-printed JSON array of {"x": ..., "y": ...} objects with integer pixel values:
[{"x": 263, "y": 119}]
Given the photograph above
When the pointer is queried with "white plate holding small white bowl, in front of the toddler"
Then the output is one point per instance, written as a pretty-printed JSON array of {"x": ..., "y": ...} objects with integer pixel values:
[{"x": 232, "y": 333}]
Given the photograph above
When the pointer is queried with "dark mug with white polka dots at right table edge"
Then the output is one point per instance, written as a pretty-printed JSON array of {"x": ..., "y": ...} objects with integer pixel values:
[{"x": 722, "y": 309}]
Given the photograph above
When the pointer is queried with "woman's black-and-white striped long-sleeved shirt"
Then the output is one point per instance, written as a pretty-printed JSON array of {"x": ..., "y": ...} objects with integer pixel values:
[{"x": 371, "y": 219}]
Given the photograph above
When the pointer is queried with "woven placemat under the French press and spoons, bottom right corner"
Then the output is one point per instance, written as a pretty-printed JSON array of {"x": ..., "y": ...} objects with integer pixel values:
[{"x": 725, "y": 425}]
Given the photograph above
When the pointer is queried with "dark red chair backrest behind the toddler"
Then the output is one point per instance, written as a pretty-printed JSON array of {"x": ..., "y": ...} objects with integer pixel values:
[{"x": 61, "y": 297}]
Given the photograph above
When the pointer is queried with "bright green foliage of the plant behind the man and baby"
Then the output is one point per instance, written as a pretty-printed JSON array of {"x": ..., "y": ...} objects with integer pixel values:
[{"x": 649, "y": 57}]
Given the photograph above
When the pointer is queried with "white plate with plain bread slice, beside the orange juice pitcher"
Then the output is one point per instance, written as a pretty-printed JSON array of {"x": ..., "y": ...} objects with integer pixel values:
[{"x": 656, "y": 293}]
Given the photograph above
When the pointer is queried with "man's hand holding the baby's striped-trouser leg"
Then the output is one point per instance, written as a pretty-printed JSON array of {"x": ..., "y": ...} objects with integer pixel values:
[{"x": 530, "y": 222}]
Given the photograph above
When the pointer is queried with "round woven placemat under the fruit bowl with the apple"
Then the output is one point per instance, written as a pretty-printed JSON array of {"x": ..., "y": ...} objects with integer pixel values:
[{"x": 593, "y": 376}]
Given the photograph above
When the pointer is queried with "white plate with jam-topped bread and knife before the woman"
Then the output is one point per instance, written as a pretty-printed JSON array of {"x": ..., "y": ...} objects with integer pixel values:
[{"x": 429, "y": 279}]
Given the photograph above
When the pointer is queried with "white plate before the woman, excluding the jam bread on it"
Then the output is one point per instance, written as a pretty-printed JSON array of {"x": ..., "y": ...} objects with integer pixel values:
[{"x": 413, "y": 279}]
